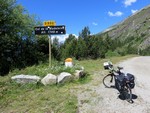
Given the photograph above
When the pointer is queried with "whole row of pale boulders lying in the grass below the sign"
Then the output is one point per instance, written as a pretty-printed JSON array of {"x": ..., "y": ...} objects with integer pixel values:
[{"x": 49, "y": 79}]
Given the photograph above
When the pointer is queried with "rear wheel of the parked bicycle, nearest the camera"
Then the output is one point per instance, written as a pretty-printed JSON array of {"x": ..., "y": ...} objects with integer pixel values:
[{"x": 128, "y": 94}]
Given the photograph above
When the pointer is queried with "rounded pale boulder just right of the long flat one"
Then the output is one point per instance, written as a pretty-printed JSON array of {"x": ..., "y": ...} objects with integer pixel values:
[{"x": 49, "y": 79}]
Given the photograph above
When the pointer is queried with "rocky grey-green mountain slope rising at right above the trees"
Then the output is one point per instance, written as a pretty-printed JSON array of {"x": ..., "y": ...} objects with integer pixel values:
[{"x": 135, "y": 28}]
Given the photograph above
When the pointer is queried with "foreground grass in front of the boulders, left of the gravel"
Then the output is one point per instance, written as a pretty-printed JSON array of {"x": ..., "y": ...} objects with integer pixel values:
[{"x": 32, "y": 98}]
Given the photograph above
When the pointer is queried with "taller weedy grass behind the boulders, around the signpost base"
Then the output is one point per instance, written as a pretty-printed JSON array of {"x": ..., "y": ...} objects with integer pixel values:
[{"x": 44, "y": 69}]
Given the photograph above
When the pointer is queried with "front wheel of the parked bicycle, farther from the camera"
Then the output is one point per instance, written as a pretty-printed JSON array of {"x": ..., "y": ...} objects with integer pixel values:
[{"x": 108, "y": 81}]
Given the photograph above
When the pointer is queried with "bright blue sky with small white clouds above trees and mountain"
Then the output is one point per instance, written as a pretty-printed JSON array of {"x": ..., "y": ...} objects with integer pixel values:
[{"x": 98, "y": 15}]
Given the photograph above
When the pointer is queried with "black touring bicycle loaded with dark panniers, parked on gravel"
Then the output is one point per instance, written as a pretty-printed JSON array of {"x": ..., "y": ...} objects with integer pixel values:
[{"x": 124, "y": 83}]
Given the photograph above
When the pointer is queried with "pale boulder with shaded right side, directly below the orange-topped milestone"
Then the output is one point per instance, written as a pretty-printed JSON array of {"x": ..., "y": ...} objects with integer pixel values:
[{"x": 64, "y": 77}]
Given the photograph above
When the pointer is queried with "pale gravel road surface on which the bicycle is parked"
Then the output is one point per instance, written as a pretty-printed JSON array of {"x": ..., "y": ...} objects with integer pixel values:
[{"x": 98, "y": 99}]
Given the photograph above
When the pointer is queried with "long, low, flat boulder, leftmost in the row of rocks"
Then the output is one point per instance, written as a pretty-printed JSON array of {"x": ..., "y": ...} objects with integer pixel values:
[{"x": 26, "y": 78}]
